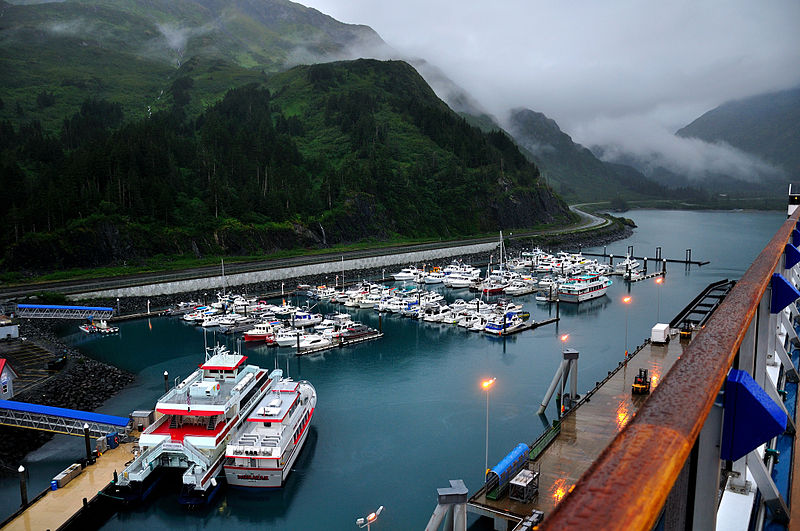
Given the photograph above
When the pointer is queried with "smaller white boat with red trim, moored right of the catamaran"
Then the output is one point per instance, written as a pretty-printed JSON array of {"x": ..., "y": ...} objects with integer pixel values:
[{"x": 262, "y": 452}]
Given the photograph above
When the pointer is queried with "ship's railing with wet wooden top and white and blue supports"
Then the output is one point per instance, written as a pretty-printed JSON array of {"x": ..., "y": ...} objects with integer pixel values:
[{"x": 666, "y": 463}]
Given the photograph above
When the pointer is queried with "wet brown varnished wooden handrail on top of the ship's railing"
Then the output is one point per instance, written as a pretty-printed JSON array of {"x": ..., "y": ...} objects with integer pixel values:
[{"x": 627, "y": 487}]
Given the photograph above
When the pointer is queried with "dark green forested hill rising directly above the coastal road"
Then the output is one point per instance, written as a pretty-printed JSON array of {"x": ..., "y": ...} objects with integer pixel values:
[{"x": 316, "y": 155}]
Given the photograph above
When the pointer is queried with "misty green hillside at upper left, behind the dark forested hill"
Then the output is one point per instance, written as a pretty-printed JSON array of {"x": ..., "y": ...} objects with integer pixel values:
[{"x": 54, "y": 55}]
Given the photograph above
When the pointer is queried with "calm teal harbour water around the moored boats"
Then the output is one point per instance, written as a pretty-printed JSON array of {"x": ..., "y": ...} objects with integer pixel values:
[{"x": 399, "y": 417}]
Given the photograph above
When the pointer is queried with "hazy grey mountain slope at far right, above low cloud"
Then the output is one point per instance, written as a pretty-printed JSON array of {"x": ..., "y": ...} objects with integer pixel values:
[{"x": 764, "y": 125}]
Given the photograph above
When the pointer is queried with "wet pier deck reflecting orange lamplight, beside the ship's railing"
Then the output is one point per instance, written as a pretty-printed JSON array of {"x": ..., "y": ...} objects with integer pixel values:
[{"x": 585, "y": 431}]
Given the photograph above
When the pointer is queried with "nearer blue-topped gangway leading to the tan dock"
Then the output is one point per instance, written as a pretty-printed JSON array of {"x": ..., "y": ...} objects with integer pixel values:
[{"x": 59, "y": 420}]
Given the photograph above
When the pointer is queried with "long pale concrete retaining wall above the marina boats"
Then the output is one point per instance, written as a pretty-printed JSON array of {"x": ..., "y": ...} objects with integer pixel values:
[{"x": 325, "y": 268}]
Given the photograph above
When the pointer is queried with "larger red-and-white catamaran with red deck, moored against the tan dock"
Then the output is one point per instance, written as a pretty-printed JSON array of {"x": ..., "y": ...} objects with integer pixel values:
[{"x": 199, "y": 416}]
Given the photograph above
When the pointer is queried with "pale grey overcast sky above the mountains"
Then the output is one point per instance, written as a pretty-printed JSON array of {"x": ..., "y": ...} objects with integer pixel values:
[{"x": 621, "y": 72}]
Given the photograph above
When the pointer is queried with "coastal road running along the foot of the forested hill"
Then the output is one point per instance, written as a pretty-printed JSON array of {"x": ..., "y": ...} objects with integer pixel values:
[{"x": 67, "y": 287}]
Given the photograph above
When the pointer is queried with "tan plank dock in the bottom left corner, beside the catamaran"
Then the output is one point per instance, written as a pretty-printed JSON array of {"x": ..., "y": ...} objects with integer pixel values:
[{"x": 53, "y": 509}]
